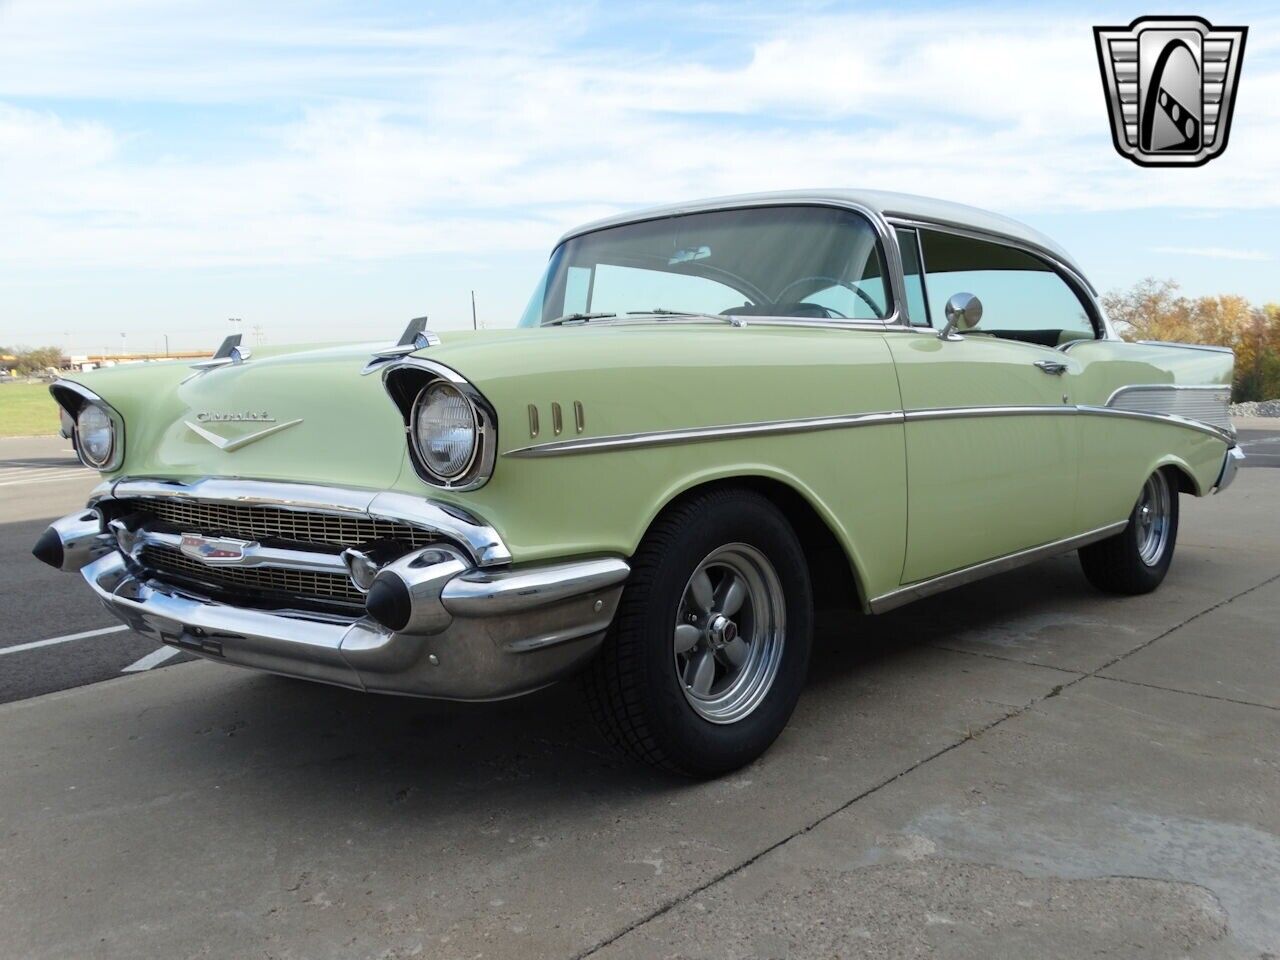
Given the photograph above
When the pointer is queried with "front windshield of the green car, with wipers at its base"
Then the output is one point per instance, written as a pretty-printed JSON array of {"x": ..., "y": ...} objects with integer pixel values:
[{"x": 802, "y": 262}]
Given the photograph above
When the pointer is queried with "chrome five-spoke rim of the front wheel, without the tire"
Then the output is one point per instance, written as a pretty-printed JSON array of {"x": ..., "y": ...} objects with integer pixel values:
[{"x": 729, "y": 633}]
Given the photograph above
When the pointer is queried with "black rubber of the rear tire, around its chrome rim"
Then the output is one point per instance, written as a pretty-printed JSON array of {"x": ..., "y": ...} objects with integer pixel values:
[{"x": 1118, "y": 565}]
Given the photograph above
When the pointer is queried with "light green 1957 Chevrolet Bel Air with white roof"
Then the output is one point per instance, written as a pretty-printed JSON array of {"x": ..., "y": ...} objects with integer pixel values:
[{"x": 710, "y": 417}]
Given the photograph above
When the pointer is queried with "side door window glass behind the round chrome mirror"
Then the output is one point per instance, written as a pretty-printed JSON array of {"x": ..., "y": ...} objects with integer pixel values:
[{"x": 1023, "y": 299}]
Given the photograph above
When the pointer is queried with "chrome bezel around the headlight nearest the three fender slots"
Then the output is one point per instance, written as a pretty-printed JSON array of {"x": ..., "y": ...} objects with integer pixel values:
[{"x": 408, "y": 382}]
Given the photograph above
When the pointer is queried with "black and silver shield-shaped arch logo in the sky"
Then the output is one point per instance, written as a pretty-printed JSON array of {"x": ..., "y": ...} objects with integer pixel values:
[{"x": 1171, "y": 86}]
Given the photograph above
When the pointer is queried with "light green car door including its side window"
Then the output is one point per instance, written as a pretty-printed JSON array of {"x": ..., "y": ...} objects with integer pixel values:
[{"x": 993, "y": 444}]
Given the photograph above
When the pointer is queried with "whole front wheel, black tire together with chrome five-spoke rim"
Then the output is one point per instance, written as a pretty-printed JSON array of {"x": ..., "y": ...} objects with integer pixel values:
[{"x": 710, "y": 650}]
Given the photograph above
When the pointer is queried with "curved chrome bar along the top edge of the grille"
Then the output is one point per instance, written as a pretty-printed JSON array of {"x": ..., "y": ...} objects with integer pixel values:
[{"x": 478, "y": 538}]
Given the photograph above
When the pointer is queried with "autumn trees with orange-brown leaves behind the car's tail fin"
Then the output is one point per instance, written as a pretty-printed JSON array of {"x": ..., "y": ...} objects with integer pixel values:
[{"x": 1155, "y": 310}]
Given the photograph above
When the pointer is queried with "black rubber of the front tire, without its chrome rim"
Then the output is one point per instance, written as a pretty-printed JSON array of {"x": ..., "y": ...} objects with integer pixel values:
[{"x": 634, "y": 689}]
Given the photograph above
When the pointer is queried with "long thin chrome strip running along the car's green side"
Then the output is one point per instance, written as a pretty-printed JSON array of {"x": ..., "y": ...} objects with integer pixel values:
[{"x": 840, "y": 422}]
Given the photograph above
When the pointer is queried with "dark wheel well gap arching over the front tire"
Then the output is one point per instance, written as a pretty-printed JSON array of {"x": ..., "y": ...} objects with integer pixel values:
[{"x": 835, "y": 584}]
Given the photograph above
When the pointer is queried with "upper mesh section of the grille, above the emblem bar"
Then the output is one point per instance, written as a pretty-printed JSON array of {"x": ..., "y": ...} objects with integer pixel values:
[{"x": 254, "y": 523}]
